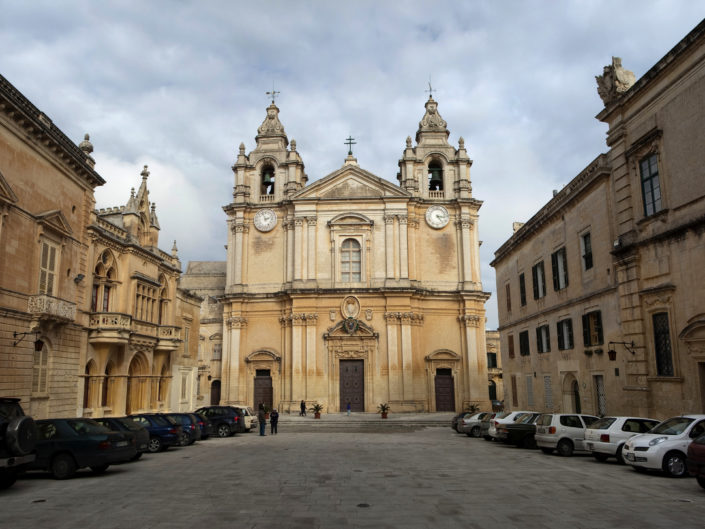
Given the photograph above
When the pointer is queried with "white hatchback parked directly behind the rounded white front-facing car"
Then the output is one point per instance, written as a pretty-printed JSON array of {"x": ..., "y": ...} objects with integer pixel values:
[{"x": 606, "y": 436}]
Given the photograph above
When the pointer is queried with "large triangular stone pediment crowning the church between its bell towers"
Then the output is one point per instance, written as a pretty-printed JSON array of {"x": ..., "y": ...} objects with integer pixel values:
[{"x": 350, "y": 182}]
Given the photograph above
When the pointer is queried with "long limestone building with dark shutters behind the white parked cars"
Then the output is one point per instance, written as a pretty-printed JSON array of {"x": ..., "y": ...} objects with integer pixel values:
[{"x": 601, "y": 298}]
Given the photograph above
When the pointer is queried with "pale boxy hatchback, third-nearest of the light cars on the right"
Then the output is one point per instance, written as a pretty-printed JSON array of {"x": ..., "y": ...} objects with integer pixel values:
[{"x": 563, "y": 432}]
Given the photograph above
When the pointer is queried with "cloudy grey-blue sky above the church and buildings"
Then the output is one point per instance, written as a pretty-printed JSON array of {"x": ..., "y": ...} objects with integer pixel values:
[{"x": 179, "y": 84}]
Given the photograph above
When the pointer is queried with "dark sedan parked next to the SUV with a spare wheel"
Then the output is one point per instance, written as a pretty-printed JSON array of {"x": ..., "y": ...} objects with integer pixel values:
[{"x": 66, "y": 445}]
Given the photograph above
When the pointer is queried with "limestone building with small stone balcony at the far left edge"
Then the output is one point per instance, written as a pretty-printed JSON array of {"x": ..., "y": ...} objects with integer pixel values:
[{"x": 46, "y": 200}]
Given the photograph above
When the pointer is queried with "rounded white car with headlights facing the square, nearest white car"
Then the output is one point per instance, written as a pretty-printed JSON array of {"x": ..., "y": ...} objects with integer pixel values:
[{"x": 665, "y": 446}]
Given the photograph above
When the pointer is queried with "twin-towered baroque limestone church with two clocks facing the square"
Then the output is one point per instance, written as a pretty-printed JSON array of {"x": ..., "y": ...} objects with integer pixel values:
[{"x": 351, "y": 289}]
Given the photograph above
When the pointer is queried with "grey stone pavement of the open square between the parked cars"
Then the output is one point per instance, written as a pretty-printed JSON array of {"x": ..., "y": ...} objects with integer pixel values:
[{"x": 428, "y": 478}]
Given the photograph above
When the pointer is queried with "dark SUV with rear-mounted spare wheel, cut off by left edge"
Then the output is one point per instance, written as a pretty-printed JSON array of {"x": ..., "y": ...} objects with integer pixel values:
[{"x": 18, "y": 436}]
